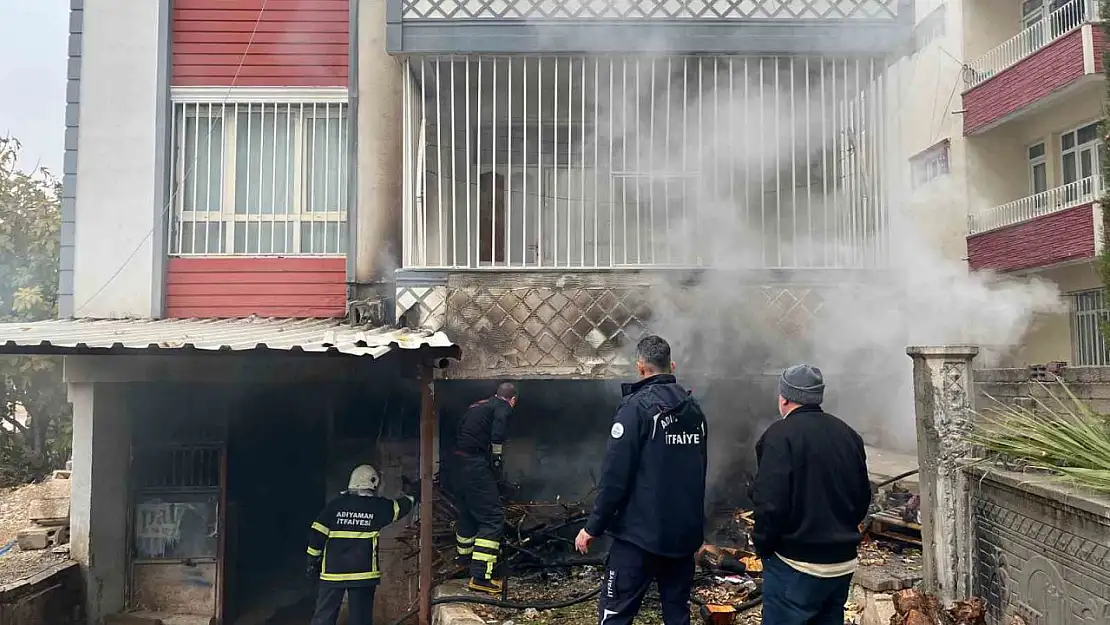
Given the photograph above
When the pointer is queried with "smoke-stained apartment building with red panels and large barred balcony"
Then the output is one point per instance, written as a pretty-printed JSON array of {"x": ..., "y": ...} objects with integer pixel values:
[{"x": 259, "y": 195}]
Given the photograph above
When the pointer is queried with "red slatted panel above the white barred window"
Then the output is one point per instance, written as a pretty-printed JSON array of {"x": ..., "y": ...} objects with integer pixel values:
[{"x": 236, "y": 43}]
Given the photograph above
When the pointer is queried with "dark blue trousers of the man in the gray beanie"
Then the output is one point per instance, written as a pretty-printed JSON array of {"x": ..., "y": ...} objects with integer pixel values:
[{"x": 792, "y": 598}]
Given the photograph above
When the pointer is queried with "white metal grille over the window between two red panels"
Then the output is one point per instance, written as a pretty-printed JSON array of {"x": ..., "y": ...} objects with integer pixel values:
[{"x": 260, "y": 179}]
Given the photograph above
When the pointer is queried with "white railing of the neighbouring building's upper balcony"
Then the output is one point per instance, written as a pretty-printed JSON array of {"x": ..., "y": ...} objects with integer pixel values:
[{"x": 1056, "y": 25}]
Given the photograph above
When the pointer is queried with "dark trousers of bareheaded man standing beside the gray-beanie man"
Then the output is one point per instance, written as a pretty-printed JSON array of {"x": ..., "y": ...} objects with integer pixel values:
[{"x": 629, "y": 574}]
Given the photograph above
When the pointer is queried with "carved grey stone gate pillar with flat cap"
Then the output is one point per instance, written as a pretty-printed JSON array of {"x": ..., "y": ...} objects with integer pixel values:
[{"x": 943, "y": 398}]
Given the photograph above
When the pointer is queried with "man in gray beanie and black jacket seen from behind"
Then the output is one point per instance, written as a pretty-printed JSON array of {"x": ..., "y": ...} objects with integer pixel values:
[{"x": 810, "y": 498}]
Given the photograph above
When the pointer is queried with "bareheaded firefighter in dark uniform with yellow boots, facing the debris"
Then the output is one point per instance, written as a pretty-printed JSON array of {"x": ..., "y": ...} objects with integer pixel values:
[{"x": 479, "y": 451}]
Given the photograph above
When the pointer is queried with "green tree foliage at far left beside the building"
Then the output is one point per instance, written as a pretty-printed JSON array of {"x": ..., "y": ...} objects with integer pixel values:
[{"x": 31, "y": 223}]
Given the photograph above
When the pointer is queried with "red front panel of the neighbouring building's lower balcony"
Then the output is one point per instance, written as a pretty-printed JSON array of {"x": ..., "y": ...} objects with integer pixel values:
[{"x": 1053, "y": 239}]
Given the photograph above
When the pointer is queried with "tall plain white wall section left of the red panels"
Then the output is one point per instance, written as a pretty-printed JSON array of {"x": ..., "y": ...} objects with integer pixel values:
[{"x": 122, "y": 169}]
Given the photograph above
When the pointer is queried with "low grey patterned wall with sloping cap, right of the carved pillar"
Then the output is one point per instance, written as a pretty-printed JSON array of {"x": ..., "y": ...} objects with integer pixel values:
[{"x": 1041, "y": 550}]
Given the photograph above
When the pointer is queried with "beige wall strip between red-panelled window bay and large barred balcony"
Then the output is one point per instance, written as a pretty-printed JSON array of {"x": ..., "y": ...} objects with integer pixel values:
[{"x": 380, "y": 168}]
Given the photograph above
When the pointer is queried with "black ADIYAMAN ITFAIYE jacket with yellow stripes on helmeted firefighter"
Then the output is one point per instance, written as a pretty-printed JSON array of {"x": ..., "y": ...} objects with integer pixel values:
[{"x": 346, "y": 533}]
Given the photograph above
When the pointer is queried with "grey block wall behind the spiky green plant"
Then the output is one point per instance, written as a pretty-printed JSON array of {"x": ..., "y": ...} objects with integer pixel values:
[{"x": 1089, "y": 384}]
